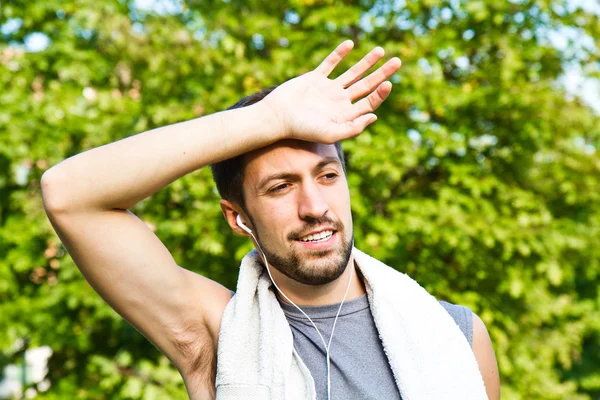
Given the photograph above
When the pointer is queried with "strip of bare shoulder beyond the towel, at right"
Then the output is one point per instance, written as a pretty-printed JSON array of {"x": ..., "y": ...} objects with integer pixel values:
[{"x": 484, "y": 353}]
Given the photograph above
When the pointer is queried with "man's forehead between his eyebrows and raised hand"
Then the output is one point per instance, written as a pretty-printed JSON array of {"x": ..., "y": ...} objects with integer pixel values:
[{"x": 289, "y": 156}]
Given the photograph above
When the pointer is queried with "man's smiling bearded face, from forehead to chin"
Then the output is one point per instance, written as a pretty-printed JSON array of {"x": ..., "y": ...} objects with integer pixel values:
[{"x": 298, "y": 202}]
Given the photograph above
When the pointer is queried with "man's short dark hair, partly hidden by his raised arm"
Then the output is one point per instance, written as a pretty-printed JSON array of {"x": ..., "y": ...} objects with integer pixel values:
[{"x": 229, "y": 174}]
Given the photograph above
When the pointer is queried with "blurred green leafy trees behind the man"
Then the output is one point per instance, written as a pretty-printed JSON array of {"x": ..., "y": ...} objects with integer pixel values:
[{"x": 481, "y": 178}]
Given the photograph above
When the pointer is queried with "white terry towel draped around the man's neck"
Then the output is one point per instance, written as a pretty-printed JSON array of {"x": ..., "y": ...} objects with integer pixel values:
[{"x": 428, "y": 354}]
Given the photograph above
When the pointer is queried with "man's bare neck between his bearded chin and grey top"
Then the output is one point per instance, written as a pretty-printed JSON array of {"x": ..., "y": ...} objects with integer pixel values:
[{"x": 320, "y": 295}]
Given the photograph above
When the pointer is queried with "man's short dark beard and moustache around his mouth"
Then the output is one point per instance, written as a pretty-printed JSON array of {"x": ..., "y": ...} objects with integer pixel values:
[{"x": 321, "y": 266}]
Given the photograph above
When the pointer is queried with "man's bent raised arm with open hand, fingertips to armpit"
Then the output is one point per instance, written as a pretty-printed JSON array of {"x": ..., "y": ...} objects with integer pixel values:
[{"x": 87, "y": 198}]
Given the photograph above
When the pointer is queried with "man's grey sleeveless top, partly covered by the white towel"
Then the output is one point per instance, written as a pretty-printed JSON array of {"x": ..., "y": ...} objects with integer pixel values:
[{"x": 359, "y": 367}]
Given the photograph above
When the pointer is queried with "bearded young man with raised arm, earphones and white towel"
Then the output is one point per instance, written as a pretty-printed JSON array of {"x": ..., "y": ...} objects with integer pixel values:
[{"x": 284, "y": 186}]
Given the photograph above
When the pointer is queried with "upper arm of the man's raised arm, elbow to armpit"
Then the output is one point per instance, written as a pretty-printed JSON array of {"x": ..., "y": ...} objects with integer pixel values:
[{"x": 126, "y": 263}]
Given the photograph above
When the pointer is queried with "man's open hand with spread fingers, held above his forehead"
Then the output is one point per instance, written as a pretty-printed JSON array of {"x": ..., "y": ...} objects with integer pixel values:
[{"x": 314, "y": 108}]
